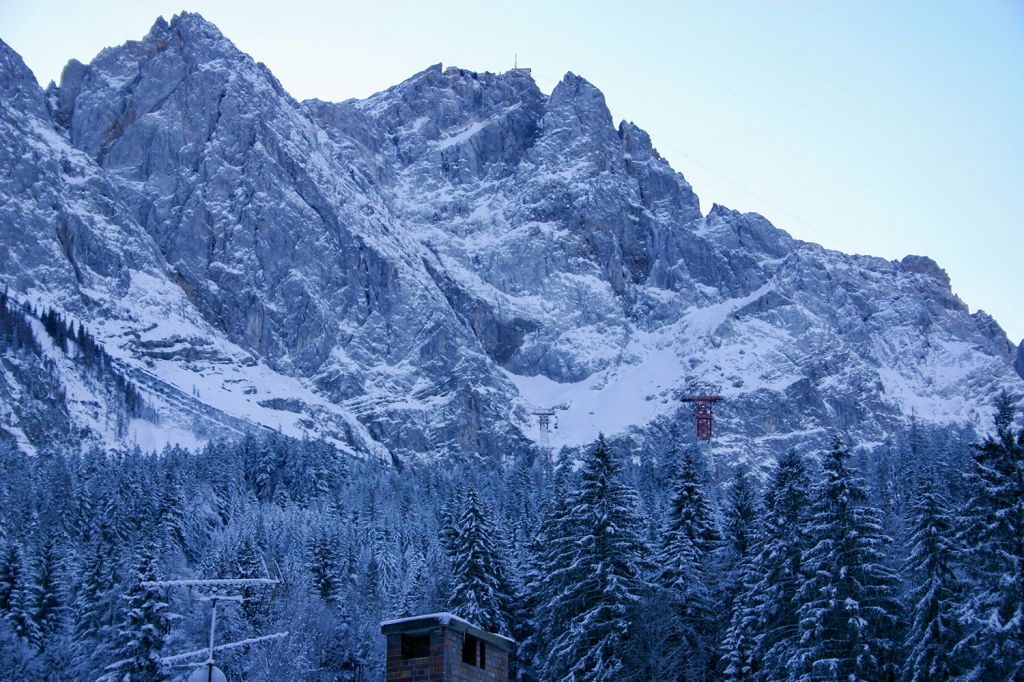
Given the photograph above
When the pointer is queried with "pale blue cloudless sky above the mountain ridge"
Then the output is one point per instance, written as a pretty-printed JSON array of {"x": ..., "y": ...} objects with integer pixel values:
[{"x": 883, "y": 129}]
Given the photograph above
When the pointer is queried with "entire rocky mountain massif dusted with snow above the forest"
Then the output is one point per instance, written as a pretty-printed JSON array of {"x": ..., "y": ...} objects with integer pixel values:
[{"x": 416, "y": 273}]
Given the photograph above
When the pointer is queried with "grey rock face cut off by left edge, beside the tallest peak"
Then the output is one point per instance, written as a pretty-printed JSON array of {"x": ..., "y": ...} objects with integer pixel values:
[{"x": 65, "y": 234}]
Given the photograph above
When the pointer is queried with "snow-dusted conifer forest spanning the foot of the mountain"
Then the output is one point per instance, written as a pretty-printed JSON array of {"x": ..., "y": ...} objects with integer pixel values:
[{"x": 901, "y": 565}]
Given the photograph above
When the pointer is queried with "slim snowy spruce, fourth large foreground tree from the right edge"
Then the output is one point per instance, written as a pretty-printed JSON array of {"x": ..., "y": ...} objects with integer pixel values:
[{"x": 778, "y": 567}]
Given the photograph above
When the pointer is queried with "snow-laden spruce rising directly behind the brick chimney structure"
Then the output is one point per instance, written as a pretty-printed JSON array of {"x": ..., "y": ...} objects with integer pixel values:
[{"x": 482, "y": 590}]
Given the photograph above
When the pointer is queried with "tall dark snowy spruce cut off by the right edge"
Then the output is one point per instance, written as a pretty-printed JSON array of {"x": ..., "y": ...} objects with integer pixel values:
[{"x": 994, "y": 536}]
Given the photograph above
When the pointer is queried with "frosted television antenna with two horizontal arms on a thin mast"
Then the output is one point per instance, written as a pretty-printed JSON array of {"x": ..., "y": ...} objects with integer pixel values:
[{"x": 215, "y": 592}]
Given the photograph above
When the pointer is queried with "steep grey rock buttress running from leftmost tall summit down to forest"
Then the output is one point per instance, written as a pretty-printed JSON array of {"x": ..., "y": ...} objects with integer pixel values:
[{"x": 277, "y": 234}]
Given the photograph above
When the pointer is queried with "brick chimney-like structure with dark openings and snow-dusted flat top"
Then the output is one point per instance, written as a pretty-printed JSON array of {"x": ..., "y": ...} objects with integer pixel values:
[{"x": 443, "y": 648}]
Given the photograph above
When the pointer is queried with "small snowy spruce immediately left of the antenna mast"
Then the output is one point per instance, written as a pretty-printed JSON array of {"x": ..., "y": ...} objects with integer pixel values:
[{"x": 144, "y": 628}]
